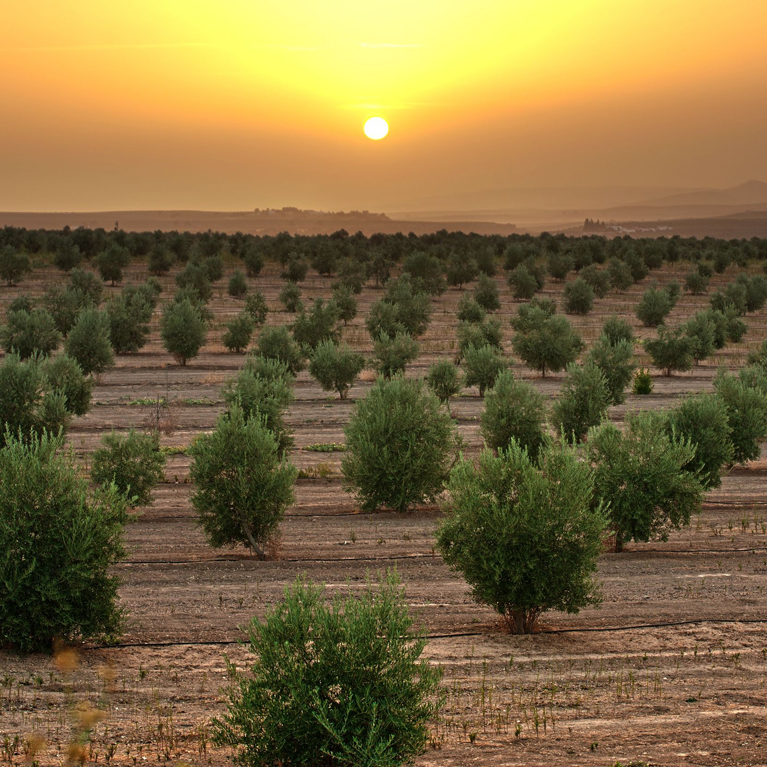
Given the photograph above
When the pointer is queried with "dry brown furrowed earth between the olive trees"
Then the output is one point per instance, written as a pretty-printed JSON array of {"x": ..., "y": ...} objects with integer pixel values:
[{"x": 670, "y": 670}]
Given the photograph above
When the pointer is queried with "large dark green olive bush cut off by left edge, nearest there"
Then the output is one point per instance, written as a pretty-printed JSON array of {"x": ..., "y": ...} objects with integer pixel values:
[{"x": 58, "y": 543}]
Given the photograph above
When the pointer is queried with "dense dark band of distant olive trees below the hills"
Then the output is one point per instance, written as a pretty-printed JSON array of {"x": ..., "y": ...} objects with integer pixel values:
[{"x": 461, "y": 254}]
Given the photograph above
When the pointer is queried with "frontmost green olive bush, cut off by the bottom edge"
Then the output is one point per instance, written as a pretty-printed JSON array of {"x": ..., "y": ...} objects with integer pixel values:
[{"x": 342, "y": 680}]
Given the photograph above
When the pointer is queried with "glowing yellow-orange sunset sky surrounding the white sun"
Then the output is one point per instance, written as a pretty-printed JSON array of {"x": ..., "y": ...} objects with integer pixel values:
[{"x": 236, "y": 104}]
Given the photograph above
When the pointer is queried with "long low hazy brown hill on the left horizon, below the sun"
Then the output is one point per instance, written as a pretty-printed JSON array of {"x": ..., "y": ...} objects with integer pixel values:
[{"x": 271, "y": 221}]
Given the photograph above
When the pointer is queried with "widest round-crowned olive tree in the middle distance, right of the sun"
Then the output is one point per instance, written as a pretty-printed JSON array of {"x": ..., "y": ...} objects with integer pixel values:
[{"x": 543, "y": 340}]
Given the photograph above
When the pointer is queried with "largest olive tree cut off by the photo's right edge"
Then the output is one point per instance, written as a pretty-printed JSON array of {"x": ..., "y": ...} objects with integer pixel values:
[{"x": 746, "y": 413}]
